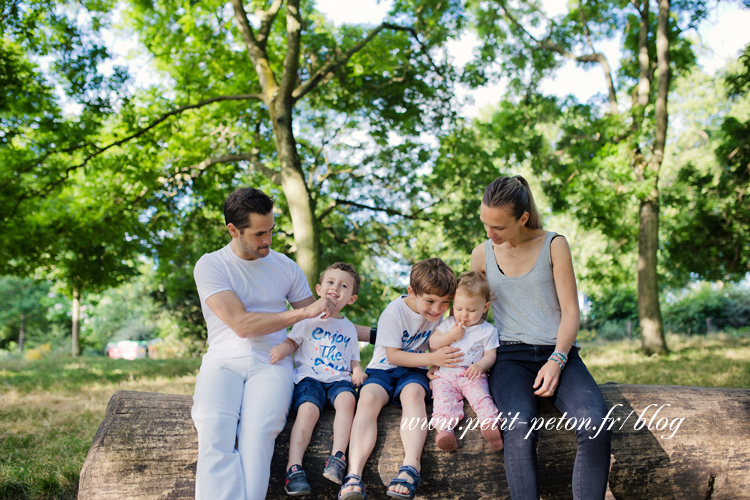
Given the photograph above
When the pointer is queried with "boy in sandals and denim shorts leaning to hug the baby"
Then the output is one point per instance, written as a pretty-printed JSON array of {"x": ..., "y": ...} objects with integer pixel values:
[{"x": 397, "y": 373}]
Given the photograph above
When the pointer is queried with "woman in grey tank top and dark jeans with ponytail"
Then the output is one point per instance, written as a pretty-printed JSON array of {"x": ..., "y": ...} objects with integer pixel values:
[{"x": 536, "y": 314}]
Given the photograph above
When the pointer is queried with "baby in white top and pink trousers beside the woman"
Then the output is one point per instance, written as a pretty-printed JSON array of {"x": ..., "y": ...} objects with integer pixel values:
[{"x": 478, "y": 340}]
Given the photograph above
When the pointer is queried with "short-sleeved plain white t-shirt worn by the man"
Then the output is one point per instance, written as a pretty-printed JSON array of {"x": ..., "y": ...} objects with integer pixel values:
[{"x": 264, "y": 285}]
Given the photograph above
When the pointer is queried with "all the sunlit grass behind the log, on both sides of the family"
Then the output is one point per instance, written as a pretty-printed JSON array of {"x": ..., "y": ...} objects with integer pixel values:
[{"x": 50, "y": 409}]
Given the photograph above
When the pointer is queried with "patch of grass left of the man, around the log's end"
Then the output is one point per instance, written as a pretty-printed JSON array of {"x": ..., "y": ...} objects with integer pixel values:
[{"x": 50, "y": 410}]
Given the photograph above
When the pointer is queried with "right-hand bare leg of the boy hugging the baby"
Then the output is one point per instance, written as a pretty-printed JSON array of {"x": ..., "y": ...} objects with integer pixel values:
[{"x": 412, "y": 404}]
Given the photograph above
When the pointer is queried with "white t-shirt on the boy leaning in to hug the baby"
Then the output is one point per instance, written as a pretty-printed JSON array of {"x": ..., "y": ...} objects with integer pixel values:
[{"x": 402, "y": 328}]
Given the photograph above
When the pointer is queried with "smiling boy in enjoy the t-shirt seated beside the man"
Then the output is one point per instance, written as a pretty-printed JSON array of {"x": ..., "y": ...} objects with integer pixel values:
[{"x": 326, "y": 370}]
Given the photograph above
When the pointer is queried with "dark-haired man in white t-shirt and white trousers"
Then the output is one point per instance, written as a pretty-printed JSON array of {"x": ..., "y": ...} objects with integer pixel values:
[{"x": 239, "y": 396}]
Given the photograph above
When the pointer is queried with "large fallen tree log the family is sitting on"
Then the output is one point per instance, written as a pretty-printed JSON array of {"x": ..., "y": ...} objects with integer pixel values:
[{"x": 669, "y": 443}]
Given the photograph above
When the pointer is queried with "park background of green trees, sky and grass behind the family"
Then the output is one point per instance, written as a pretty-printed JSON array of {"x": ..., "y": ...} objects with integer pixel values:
[{"x": 124, "y": 125}]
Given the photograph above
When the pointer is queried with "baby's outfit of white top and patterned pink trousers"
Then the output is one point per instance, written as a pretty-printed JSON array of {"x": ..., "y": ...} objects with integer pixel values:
[{"x": 451, "y": 385}]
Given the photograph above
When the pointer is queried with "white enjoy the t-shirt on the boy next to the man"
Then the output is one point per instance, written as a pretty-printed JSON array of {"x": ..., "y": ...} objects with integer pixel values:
[{"x": 326, "y": 349}]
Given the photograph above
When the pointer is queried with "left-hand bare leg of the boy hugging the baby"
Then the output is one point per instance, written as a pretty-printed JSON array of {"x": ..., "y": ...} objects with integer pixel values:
[{"x": 372, "y": 399}]
